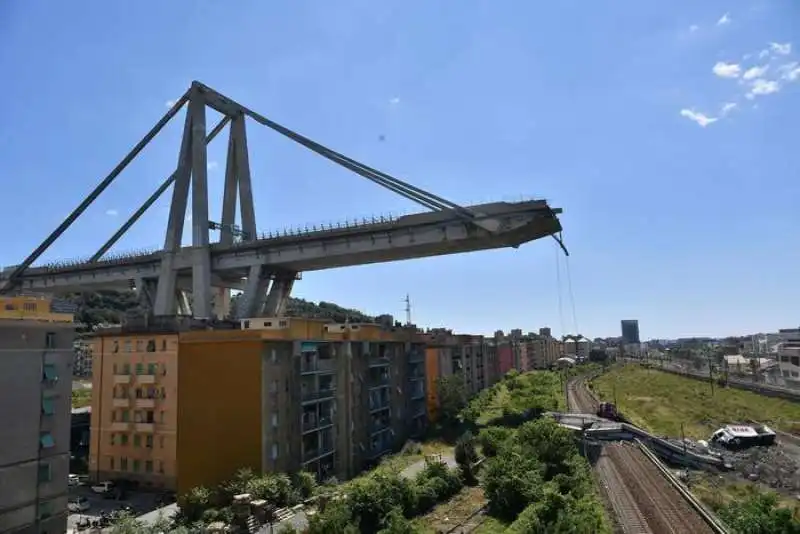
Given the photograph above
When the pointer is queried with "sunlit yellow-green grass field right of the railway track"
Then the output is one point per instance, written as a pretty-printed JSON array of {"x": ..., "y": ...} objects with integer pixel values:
[{"x": 660, "y": 402}]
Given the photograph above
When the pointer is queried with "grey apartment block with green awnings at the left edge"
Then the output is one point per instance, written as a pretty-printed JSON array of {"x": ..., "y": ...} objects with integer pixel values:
[{"x": 35, "y": 400}]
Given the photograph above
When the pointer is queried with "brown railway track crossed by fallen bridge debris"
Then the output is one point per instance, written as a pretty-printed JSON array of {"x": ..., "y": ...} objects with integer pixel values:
[{"x": 643, "y": 499}]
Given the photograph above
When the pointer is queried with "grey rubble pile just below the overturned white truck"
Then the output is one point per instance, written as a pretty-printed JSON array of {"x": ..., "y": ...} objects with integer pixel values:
[{"x": 771, "y": 466}]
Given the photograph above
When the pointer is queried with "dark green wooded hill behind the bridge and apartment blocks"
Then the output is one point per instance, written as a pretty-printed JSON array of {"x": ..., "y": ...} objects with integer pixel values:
[{"x": 111, "y": 307}]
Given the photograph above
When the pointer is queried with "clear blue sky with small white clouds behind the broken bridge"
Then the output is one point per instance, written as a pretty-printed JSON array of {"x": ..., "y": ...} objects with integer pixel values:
[{"x": 674, "y": 161}]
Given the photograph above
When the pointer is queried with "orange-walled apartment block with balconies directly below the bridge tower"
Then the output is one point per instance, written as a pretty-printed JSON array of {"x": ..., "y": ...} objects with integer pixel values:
[{"x": 195, "y": 403}]
